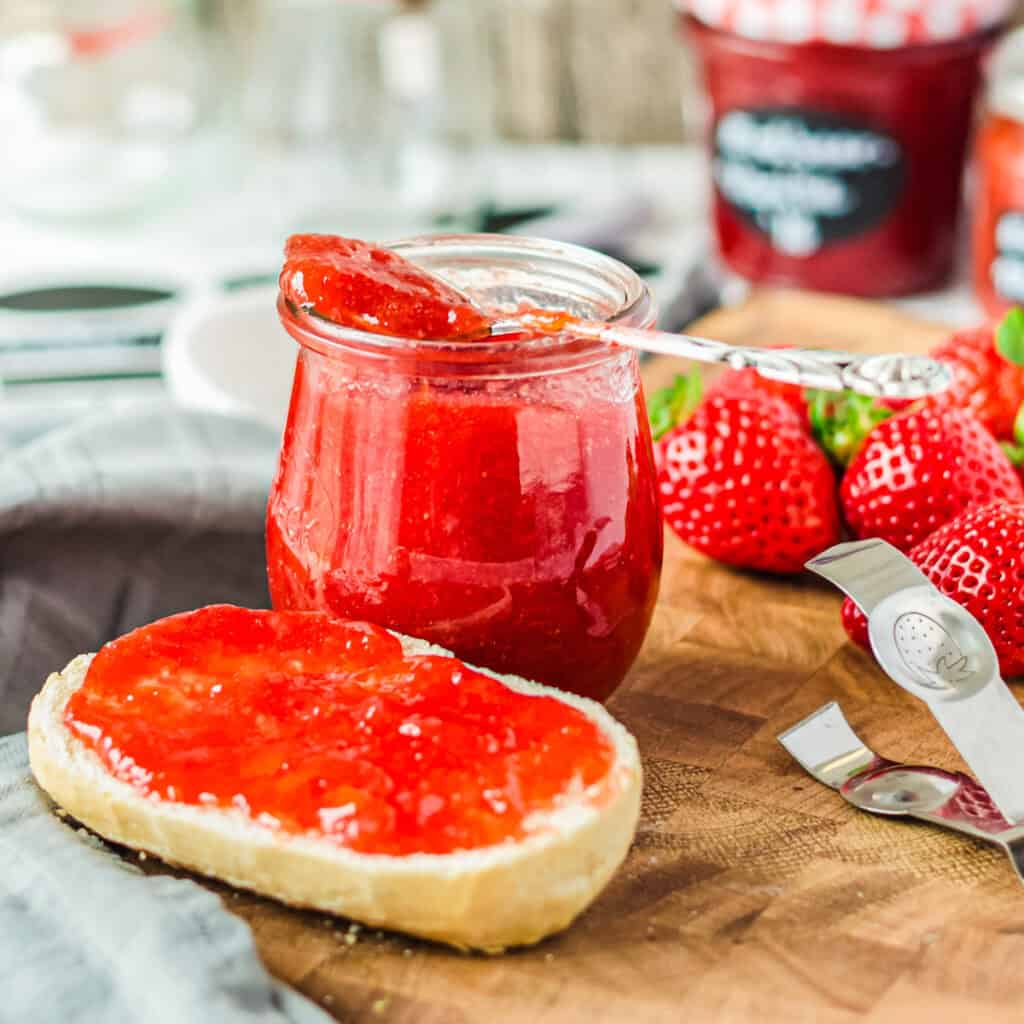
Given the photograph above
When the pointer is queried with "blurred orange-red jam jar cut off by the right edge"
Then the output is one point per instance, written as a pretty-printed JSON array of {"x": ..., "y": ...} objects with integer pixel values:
[{"x": 999, "y": 184}]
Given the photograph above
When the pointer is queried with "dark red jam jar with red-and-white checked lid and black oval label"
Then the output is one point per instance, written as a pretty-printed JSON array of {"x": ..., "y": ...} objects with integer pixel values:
[{"x": 839, "y": 135}]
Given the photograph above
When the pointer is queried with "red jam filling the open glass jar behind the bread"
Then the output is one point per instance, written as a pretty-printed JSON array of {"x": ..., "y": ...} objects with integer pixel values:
[{"x": 517, "y": 525}]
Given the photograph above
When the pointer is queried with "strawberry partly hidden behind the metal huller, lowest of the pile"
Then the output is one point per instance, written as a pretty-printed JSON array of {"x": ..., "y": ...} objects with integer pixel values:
[{"x": 978, "y": 561}]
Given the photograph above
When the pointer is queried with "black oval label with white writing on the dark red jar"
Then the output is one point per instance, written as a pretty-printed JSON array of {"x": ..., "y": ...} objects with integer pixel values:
[{"x": 805, "y": 179}]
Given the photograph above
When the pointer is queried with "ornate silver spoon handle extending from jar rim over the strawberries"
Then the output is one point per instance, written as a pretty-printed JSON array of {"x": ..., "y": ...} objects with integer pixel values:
[{"x": 890, "y": 376}]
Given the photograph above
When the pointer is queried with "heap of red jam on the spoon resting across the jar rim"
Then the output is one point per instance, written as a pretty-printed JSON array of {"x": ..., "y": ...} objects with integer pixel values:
[{"x": 368, "y": 288}]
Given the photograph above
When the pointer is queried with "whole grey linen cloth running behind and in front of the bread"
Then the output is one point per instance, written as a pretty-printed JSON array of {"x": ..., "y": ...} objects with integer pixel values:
[{"x": 105, "y": 526}]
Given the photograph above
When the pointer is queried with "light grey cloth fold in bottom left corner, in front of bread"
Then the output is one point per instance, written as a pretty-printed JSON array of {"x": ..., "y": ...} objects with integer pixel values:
[{"x": 87, "y": 938}]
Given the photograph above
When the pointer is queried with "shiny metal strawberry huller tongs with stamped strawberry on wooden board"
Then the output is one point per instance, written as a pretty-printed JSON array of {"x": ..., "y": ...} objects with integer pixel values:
[{"x": 938, "y": 652}]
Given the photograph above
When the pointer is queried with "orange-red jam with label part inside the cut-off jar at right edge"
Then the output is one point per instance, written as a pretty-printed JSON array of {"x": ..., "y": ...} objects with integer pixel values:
[{"x": 999, "y": 215}]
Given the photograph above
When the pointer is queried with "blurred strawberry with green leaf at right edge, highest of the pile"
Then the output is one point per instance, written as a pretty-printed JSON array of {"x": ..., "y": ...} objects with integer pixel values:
[{"x": 989, "y": 373}]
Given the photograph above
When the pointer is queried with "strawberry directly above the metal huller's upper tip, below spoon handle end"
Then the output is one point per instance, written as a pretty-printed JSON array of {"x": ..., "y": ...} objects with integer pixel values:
[{"x": 920, "y": 470}]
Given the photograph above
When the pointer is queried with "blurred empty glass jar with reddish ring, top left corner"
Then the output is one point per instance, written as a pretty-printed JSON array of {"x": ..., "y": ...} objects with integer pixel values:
[{"x": 103, "y": 105}]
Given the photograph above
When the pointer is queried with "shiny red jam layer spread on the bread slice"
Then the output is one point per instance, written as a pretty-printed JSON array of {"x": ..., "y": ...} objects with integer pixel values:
[{"x": 314, "y": 726}]
